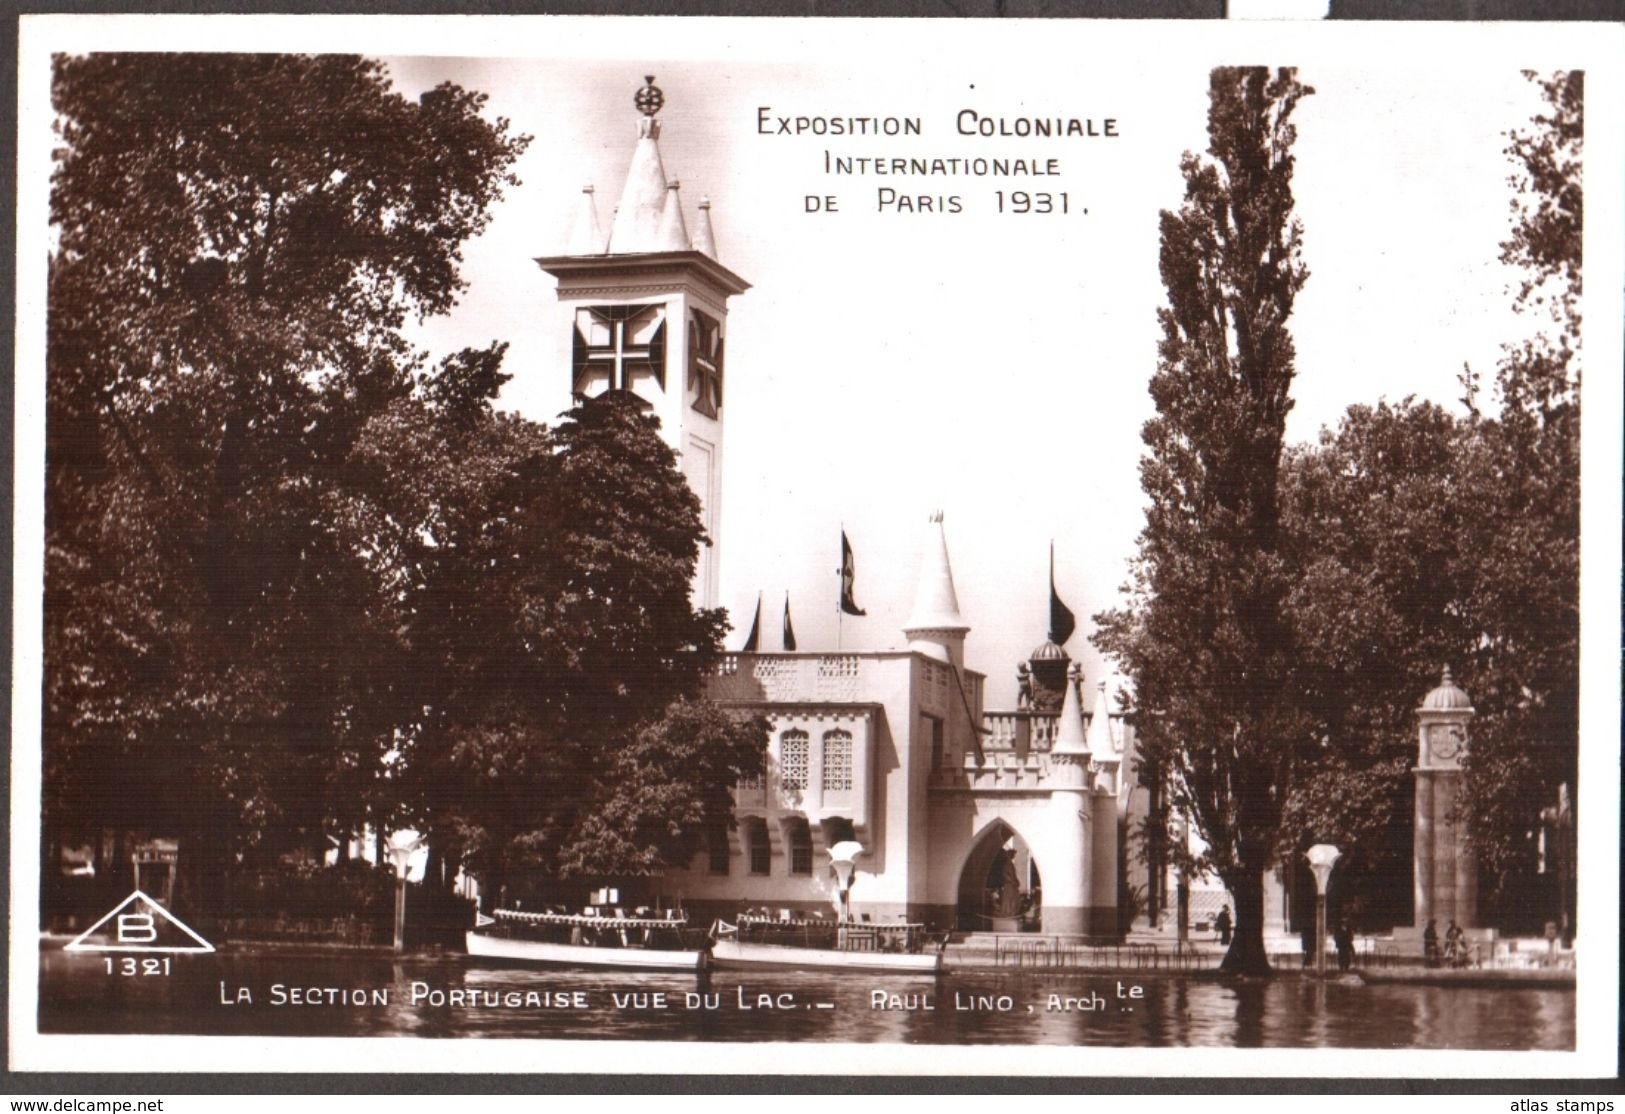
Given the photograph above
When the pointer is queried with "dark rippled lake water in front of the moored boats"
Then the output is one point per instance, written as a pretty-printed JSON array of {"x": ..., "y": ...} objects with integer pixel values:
[{"x": 440, "y": 998}]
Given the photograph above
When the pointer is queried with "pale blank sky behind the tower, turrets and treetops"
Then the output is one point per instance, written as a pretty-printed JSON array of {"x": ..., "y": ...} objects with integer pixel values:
[{"x": 994, "y": 366}]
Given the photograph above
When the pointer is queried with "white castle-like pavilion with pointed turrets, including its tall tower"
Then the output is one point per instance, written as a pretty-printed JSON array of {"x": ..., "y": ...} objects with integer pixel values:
[{"x": 969, "y": 819}]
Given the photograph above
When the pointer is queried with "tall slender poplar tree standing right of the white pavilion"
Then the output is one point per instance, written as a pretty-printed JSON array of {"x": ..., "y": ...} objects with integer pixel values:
[{"x": 1205, "y": 639}]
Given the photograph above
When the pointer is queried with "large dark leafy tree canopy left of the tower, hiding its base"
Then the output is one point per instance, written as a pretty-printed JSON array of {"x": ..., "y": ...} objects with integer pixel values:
[{"x": 298, "y": 579}]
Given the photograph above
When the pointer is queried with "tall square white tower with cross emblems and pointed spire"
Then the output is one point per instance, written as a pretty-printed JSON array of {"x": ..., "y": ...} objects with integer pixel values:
[{"x": 649, "y": 316}]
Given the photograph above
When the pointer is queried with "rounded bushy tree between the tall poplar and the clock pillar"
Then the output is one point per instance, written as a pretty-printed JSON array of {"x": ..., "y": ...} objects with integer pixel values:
[{"x": 1372, "y": 519}]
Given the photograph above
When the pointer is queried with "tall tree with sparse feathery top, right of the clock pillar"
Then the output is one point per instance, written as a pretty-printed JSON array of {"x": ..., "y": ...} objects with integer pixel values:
[{"x": 1522, "y": 485}]
